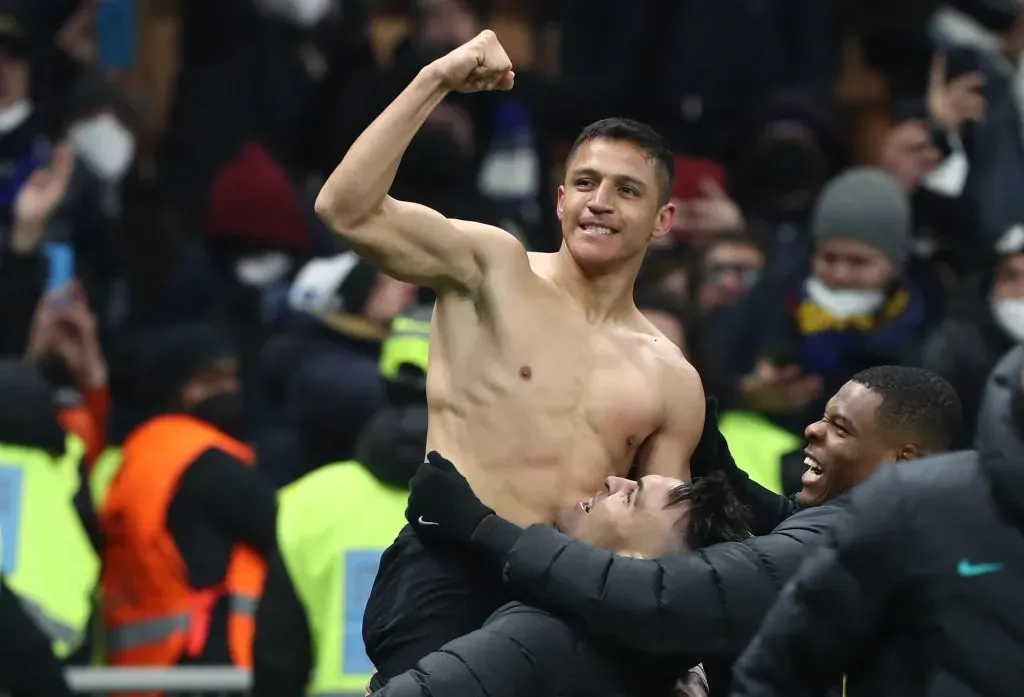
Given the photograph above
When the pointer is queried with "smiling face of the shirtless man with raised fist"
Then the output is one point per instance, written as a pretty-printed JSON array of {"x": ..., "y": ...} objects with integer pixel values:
[{"x": 611, "y": 205}]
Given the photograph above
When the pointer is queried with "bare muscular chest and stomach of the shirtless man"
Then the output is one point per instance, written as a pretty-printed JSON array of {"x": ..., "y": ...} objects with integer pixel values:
[{"x": 535, "y": 405}]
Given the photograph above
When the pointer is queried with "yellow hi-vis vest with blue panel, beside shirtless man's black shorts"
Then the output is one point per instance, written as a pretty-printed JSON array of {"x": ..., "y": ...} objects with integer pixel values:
[{"x": 333, "y": 526}]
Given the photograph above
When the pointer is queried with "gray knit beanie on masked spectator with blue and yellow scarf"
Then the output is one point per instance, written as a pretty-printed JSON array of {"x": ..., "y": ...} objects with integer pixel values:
[{"x": 868, "y": 206}]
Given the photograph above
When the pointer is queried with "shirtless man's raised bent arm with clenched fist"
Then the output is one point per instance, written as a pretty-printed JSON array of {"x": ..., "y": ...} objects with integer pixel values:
[{"x": 407, "y": 241}]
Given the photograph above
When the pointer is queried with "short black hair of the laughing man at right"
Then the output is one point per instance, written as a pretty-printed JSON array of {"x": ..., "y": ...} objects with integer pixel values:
[{"x": 918, "y": 406}]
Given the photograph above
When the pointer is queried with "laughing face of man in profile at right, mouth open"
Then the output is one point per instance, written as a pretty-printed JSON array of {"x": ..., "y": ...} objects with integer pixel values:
[{"x": 846, "y": 446}]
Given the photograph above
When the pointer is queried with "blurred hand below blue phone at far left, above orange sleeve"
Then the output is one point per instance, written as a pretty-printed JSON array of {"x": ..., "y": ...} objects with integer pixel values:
[{"x": 66, "y": 326}]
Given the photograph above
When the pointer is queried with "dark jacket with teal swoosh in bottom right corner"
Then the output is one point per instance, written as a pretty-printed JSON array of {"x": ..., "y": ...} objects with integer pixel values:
[{"x": 918, "y": 594}]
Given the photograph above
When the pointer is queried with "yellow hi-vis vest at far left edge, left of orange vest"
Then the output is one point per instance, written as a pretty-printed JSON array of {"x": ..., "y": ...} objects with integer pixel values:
[{"x": 46, "y": 555}]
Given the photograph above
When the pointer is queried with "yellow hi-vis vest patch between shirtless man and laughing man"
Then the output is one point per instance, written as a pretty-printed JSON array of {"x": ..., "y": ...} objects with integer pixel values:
[{"x": 758, "y": 447}]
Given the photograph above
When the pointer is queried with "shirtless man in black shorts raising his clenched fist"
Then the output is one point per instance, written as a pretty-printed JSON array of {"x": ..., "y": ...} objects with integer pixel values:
[{"x": 544, "y": 378}]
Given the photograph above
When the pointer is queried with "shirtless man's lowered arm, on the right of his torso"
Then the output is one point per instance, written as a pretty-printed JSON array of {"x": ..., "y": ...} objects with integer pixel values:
[{"x": 668, "y": 451}]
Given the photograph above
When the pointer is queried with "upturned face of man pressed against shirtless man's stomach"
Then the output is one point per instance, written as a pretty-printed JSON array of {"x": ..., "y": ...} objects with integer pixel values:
[{"x": 630, "y": 518}]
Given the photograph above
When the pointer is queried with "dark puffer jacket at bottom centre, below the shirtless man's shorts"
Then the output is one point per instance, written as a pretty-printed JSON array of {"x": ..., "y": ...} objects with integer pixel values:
[{"x": 521, "y": 652}]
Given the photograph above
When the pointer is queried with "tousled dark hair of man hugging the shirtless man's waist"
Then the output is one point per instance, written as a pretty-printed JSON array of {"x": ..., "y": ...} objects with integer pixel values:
[{"x": 716, "y": 514}]
